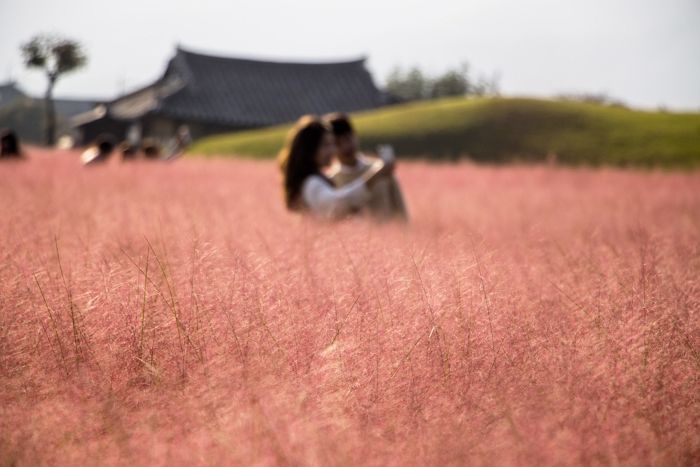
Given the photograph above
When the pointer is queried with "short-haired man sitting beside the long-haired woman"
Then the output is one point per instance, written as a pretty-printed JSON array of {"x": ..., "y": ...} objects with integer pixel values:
[{"x": 386, "y": 201}]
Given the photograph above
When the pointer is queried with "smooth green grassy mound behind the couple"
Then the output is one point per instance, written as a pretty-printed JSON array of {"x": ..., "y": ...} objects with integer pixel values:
[{"x": 501, "y": 130}]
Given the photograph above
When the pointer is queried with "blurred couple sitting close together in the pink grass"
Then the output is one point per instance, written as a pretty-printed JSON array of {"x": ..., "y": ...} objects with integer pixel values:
[{"x": 325, "y": 175}]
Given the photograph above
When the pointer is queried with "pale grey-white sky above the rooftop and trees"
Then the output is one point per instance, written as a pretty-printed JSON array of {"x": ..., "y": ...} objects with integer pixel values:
[{"x": 645, "y": 52}]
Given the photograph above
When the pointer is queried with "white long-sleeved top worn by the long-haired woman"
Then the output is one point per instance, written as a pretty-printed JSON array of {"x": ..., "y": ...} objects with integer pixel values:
[{"x": 327, "y": 201}]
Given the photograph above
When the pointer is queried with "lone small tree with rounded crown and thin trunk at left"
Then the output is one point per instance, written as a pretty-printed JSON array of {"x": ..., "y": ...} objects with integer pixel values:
[{"x": 56, "y": 56}]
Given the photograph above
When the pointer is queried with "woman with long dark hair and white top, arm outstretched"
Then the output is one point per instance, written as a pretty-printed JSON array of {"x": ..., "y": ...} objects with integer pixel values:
[{"x": 309, "y": 148}]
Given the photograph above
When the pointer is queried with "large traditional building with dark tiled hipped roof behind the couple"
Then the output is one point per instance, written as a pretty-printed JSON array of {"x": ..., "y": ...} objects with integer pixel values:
[{"x": 213, "y": 94}]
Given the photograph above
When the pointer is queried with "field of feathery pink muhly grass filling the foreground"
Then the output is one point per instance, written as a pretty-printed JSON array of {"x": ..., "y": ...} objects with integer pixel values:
[{"x": 176, "y": 314}]
